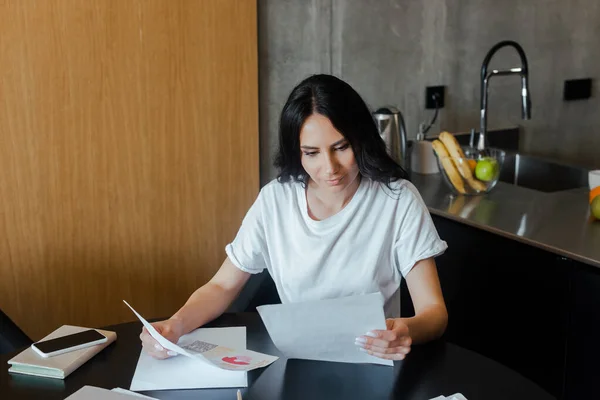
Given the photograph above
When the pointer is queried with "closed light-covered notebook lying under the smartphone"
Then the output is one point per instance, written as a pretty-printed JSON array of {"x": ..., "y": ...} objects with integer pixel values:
[{"x": 28, "y": 362}]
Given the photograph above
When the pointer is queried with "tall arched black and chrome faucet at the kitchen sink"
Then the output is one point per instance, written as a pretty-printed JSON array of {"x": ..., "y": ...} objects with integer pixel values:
[{"x": 523, "y": 71}]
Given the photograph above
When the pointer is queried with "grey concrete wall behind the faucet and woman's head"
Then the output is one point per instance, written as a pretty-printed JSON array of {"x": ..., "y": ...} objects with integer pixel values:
[{"x": 391, "y": 50}]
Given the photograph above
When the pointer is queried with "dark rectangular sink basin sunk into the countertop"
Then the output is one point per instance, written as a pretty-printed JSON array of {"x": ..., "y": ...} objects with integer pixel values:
[{"x": 541, "y": 174}]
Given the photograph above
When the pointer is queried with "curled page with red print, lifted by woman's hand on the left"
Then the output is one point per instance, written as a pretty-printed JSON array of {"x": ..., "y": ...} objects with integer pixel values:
[{"x": 210, "y": 353}]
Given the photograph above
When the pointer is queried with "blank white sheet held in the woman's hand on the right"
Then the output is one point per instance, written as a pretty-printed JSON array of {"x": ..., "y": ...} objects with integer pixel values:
[{"x": 325, "y": 330}]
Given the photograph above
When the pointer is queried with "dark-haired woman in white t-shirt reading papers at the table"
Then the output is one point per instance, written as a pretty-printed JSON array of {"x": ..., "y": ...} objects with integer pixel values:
[{"x": 340, "y": 219}]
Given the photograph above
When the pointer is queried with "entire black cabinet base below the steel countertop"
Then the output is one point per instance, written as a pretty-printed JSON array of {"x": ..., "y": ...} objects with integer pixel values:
[{"x": 529, "y": 309}]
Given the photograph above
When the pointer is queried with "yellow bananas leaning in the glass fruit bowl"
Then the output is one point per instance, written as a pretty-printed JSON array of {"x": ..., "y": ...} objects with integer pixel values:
[{"x": 450, "y": 154}]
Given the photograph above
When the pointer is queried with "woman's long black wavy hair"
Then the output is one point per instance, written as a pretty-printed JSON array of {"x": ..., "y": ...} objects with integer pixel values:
[{"x": 342, "y": 105}]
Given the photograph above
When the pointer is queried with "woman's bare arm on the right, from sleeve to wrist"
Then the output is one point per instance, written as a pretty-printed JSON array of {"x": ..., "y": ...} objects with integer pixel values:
[{"x": 431, "y": 316}]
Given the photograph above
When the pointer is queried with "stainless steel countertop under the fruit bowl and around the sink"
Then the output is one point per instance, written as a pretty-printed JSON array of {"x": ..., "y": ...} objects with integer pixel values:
[{"x": 558, "y": 222}]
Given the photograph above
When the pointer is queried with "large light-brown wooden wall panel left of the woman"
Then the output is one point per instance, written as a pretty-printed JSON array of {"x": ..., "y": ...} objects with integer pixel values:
[{"x": 128, "y": 153}]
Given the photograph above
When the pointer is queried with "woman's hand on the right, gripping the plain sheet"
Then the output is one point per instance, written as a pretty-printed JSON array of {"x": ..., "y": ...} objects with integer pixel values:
[{"x": 391, "y": 344}]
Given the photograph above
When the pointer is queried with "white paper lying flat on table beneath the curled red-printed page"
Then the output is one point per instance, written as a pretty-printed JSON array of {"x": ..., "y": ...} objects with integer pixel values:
[{"x": 182, "y": 372}]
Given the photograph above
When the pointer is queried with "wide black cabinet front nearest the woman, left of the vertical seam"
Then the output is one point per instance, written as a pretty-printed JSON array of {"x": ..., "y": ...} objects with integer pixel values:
[{"x": 507, "y": 301}]
